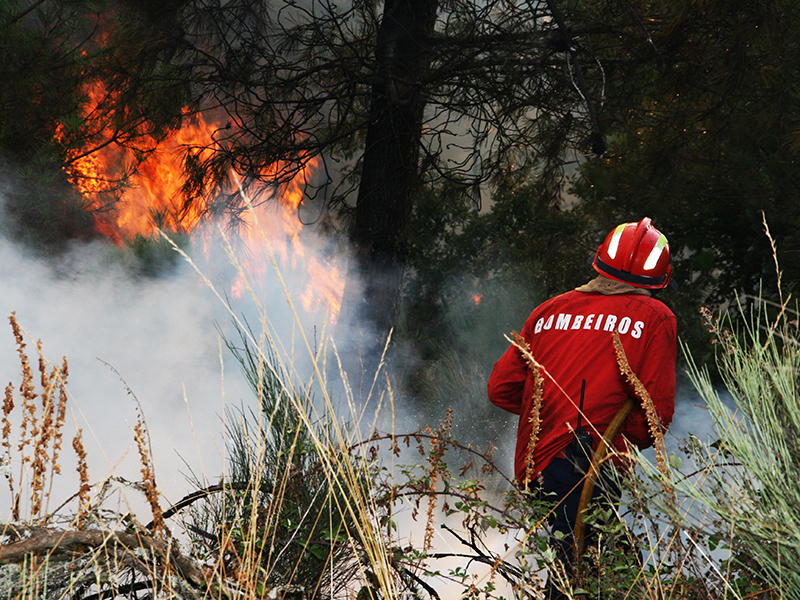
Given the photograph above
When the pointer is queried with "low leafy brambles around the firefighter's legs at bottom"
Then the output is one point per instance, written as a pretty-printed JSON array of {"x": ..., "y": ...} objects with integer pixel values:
[{"x": 453, "y": 488}]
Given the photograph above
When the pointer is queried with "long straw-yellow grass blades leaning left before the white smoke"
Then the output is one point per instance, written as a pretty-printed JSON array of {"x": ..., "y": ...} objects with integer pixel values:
[{"x": 346, "y": 475}]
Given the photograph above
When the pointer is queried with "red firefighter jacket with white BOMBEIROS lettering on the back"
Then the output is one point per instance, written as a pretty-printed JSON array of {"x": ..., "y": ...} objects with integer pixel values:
[{"x": 571, "y": 337}]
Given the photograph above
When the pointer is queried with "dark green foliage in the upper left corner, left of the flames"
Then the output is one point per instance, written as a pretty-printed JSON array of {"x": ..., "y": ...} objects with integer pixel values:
[{"x": 43, "y": 56}]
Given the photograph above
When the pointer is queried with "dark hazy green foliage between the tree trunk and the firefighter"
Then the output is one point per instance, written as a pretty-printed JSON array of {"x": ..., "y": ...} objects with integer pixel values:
[{"x": 474, "y": 276}]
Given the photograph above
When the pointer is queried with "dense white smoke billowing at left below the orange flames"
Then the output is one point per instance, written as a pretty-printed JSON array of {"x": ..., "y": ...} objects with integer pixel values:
[{"x": 155, "y": 338}]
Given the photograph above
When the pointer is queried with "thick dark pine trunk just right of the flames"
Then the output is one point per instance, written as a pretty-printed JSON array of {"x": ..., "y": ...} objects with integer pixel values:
[{"x": 390, "y": 164}]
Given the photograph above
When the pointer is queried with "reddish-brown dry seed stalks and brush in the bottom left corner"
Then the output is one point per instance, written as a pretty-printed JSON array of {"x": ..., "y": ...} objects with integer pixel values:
[{"x": 97, "y": 554}]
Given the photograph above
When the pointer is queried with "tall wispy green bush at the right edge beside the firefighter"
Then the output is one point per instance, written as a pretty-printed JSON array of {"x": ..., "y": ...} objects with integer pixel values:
[{"x": 743, "y": 493}]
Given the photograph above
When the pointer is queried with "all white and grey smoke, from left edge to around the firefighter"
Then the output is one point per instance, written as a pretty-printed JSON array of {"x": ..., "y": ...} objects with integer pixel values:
[{"x": 159, "y": 339}]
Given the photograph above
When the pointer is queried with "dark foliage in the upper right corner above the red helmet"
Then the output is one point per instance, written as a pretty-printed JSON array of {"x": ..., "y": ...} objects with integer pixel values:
[{"x": 701, "y": 122}]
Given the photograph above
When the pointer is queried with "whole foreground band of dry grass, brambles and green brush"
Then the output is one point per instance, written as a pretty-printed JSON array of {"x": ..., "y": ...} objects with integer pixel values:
[{"x": 310, "y": 508}]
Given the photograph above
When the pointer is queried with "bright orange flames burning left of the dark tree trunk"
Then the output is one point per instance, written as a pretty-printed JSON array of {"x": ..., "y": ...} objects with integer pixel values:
[{"x": 152, "y": 197}]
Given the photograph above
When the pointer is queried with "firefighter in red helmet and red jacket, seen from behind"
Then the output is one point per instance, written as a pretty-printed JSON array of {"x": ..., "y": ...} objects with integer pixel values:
[{"x": 571, "y": 337}]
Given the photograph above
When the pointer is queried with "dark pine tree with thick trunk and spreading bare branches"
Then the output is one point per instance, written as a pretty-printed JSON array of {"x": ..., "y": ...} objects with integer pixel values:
[{"x": 381, "y": 99}]
